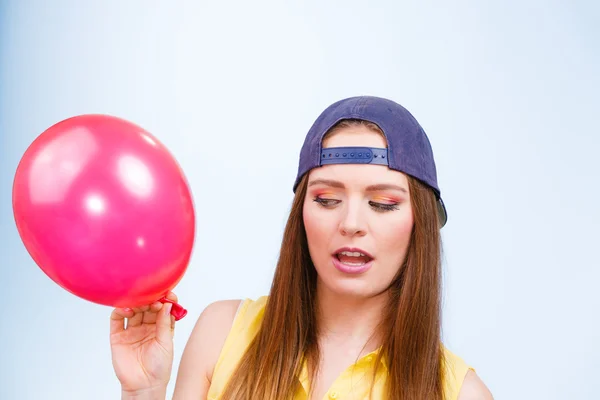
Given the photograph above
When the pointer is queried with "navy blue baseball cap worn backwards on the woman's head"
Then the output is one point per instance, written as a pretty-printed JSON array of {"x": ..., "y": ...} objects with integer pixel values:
[{"x": 408, "y": 148}]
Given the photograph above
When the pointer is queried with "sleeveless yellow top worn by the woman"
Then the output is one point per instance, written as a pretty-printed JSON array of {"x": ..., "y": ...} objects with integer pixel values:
[{"x": 247, "y": 323}]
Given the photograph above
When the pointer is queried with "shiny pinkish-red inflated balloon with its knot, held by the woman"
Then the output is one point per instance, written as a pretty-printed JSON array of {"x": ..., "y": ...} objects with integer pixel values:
[{"x": 105, "y": 211}]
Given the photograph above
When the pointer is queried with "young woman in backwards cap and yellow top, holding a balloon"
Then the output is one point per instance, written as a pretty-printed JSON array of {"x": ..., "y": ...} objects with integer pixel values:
[{"x": 354, "y": 308}]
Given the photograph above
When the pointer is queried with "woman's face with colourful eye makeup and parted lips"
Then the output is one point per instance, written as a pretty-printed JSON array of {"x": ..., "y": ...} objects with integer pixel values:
[{"x": 358, "y": 219}]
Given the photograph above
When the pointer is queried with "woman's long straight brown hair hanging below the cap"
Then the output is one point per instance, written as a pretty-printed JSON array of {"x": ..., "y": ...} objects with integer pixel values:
[{"x": 410, "y": 327}]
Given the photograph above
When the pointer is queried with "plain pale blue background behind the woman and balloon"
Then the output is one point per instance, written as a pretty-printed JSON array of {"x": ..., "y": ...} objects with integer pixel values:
[{"x": 507, "y": 91}]
